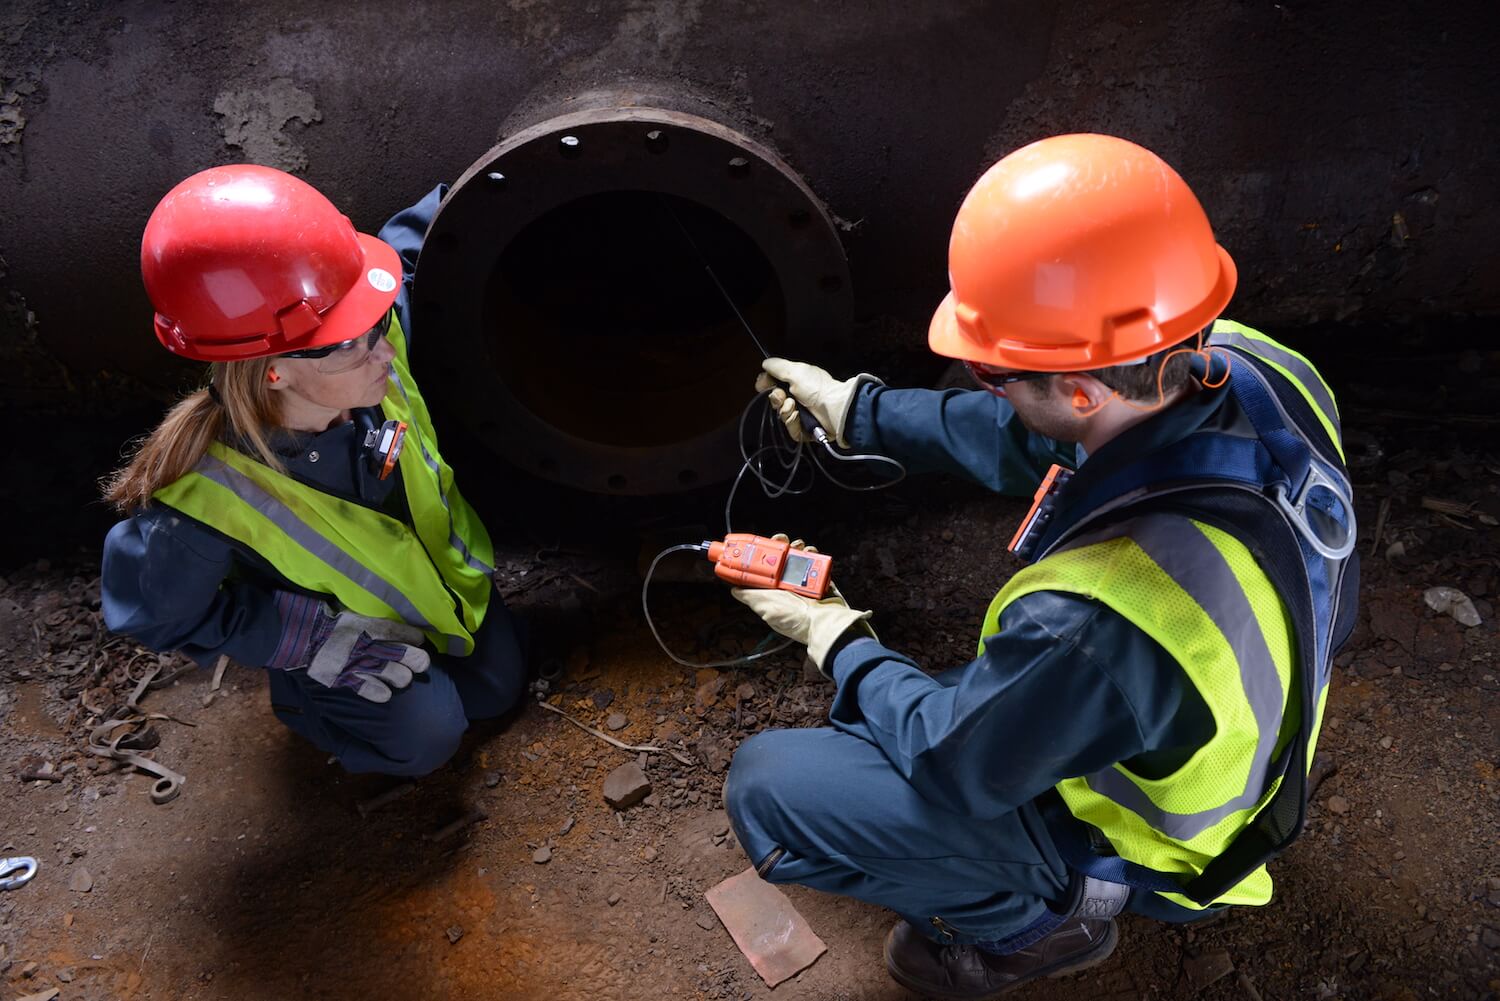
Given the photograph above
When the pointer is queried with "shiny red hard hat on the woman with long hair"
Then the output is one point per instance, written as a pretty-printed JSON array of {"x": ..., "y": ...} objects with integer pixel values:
[{"x": 242, "y": 262}]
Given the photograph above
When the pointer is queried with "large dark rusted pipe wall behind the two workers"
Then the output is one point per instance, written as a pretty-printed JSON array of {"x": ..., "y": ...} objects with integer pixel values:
[{"x": 1343, "y": 149}]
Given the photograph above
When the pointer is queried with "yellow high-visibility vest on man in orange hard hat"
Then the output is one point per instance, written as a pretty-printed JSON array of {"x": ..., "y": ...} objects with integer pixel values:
[{"x": 1202, "y": 597}]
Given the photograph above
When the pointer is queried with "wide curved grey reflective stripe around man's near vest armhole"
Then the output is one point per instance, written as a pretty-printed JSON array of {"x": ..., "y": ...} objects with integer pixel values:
[{"x": 1190, "y": 559}]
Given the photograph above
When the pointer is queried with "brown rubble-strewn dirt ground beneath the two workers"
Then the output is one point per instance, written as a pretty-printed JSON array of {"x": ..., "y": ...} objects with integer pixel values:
[{"x": 263, "y": 880}]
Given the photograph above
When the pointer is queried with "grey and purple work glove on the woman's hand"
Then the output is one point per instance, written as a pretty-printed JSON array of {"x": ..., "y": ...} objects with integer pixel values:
[{"x": 347, "y": 651}]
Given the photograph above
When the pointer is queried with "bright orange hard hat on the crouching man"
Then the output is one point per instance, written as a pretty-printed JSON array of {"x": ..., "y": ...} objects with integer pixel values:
[{"x": 1079, "y": 253}]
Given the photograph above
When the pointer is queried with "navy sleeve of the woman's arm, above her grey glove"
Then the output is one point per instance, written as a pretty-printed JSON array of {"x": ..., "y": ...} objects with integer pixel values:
[{"x": 167, "y": 583}]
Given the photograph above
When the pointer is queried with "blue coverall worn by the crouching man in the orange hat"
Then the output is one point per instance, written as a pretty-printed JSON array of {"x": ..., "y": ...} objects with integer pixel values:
[{"x": 922, "y": 796}]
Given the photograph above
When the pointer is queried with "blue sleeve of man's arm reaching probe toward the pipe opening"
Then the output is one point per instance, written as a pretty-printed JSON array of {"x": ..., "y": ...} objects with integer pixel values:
[{"x": 967, "y": 433}]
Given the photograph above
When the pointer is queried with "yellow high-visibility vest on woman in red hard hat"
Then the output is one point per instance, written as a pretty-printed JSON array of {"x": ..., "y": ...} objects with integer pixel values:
[{"x": 434, "y": 574}]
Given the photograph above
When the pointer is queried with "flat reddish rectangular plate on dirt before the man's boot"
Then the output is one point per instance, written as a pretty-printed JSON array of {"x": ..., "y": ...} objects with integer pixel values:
[{"x": 766, "y": 927}]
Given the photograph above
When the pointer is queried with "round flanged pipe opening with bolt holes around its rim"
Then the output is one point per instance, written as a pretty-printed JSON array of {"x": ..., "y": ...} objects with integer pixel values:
[{"x": 578, "y": 271}]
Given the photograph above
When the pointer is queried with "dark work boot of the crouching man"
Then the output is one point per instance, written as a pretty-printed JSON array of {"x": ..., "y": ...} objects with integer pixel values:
[{"x": 970, "y": 972}]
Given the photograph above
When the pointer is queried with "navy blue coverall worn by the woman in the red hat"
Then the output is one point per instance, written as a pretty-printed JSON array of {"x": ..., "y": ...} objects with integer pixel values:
[{"x": 176, "y": 585}]
